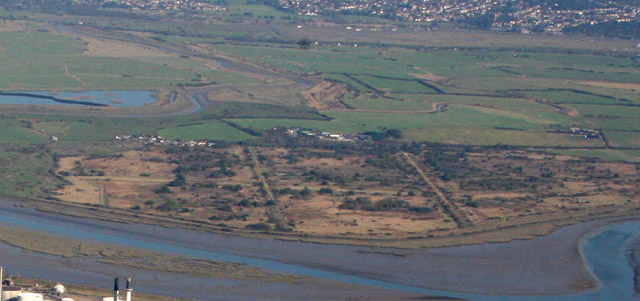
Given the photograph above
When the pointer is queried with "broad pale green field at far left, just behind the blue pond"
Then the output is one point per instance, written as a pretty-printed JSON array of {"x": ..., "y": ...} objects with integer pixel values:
[{"x": 42, "y": 60}]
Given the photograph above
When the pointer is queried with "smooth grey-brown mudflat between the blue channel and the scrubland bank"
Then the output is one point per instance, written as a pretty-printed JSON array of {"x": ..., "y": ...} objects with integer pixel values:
[{"x": 546, "y": 265}]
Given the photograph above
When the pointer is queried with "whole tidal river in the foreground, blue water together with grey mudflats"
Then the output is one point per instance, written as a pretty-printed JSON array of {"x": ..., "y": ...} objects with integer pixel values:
[{"x": 517, "y": 268}]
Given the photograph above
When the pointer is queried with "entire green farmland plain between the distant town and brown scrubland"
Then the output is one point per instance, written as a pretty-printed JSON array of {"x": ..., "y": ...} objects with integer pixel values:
[{"x": 494, "y": 95}]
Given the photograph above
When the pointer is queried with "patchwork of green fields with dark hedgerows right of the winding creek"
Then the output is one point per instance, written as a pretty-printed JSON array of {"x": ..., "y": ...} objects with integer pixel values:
[{"x": 463, "y": 76}]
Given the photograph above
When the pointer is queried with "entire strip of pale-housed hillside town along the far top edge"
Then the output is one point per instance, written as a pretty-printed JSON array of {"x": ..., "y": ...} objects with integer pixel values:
[{"x": 524, "y": 16}]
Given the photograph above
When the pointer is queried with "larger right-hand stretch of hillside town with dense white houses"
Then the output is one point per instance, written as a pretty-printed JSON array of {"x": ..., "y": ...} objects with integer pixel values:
[{"x": 509, "y": 15}]
